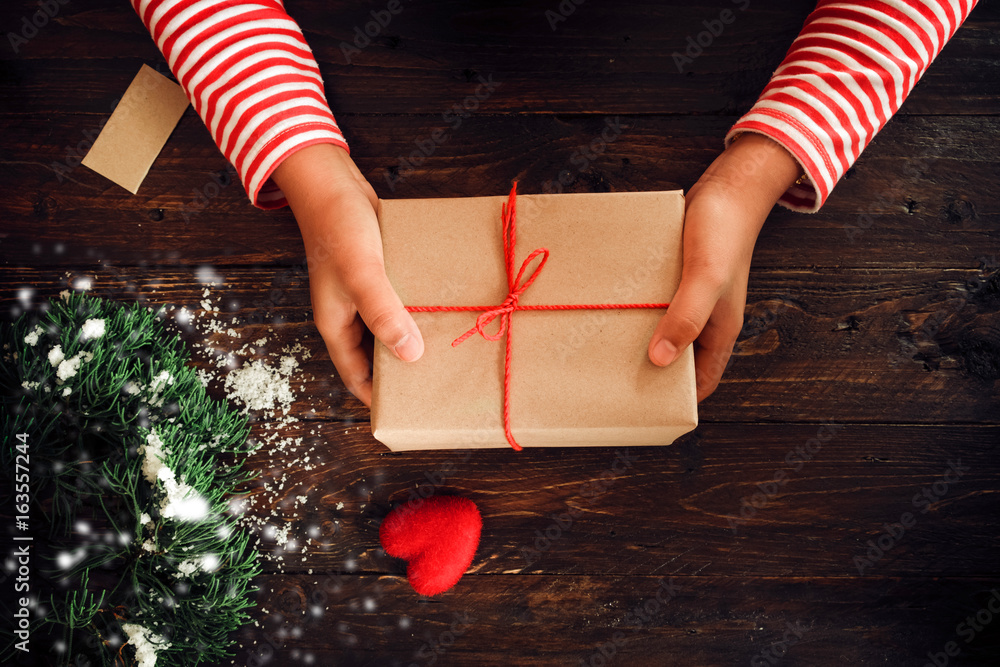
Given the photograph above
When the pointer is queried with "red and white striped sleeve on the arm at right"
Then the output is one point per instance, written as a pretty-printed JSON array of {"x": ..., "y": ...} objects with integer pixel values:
[{"x": 844, "y": 76}]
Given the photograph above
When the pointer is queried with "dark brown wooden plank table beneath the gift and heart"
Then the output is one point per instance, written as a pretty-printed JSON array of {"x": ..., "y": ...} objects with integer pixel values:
[{"x": 880, "y": 315}]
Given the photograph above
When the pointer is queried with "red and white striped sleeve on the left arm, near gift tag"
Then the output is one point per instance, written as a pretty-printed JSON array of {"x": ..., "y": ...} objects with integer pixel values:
[{"x": 252, "y": 78}]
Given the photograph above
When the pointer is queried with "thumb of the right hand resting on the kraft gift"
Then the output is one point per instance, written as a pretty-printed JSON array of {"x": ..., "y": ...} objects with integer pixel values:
[{"x": 683, "y": 322}]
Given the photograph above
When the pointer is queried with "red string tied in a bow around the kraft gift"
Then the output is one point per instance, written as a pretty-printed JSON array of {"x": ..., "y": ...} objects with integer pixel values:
[{"x": 515, "y": 288}]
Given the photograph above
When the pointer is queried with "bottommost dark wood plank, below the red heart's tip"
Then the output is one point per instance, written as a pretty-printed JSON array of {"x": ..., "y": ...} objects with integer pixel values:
[{"x": 532, "y": 620}]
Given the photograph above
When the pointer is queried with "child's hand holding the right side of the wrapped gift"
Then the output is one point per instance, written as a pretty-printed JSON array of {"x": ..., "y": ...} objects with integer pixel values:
[{"x": 725, "y": 211}]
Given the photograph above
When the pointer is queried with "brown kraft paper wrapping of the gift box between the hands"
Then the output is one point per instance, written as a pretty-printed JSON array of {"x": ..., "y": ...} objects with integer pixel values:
[{"x": 580, "y": 377}]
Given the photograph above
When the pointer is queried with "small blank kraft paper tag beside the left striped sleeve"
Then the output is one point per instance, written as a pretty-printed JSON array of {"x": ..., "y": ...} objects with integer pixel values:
[{"x": 136, "y": 131}]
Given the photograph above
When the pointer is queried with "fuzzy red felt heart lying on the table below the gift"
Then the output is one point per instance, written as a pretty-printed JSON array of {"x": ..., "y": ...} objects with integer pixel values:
[{"x": 438, "y": 539}]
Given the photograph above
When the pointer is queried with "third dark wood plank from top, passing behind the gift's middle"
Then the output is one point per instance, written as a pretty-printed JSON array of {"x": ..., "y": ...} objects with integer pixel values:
[{"x": 911, "y": 346}]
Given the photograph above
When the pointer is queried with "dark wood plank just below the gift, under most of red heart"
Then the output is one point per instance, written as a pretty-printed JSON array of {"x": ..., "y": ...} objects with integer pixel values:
[{"x": 705, "y": 505}]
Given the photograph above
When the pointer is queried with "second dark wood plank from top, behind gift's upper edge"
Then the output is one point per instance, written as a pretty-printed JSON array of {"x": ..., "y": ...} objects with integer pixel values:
[{"x": 925, "y": 193}]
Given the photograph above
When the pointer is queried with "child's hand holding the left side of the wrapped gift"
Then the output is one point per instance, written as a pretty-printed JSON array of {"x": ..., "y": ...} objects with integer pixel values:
[{"x": 335, "y": 208}]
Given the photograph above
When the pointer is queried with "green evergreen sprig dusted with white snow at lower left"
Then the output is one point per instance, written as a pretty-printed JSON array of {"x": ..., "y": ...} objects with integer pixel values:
[{"x": 88, "y": 436}]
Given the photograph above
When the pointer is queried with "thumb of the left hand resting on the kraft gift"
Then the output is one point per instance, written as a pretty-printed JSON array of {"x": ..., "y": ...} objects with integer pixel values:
[{"x": 383, "y": 312}]
